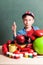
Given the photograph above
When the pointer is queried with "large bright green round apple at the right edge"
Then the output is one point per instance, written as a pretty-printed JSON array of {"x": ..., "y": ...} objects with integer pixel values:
[{"x": 38, "y": 45}]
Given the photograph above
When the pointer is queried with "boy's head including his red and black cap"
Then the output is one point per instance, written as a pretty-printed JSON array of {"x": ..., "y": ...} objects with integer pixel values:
[{"x": 28, "y": 18}]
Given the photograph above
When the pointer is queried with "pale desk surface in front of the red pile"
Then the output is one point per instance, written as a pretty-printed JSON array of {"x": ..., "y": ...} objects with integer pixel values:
[{"x": 31, "y": 61}]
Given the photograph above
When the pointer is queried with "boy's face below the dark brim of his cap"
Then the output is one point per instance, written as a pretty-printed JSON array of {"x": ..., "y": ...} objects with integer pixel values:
[{"x": 28, "y": 21}]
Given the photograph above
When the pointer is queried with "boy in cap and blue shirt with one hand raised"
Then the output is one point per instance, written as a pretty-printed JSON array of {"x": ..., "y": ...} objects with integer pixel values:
[{"x": 28, "y": 20}]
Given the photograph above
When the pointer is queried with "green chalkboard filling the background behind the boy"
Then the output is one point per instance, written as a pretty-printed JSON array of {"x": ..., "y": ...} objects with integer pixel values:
[{"x": 12, "y": 10}]
